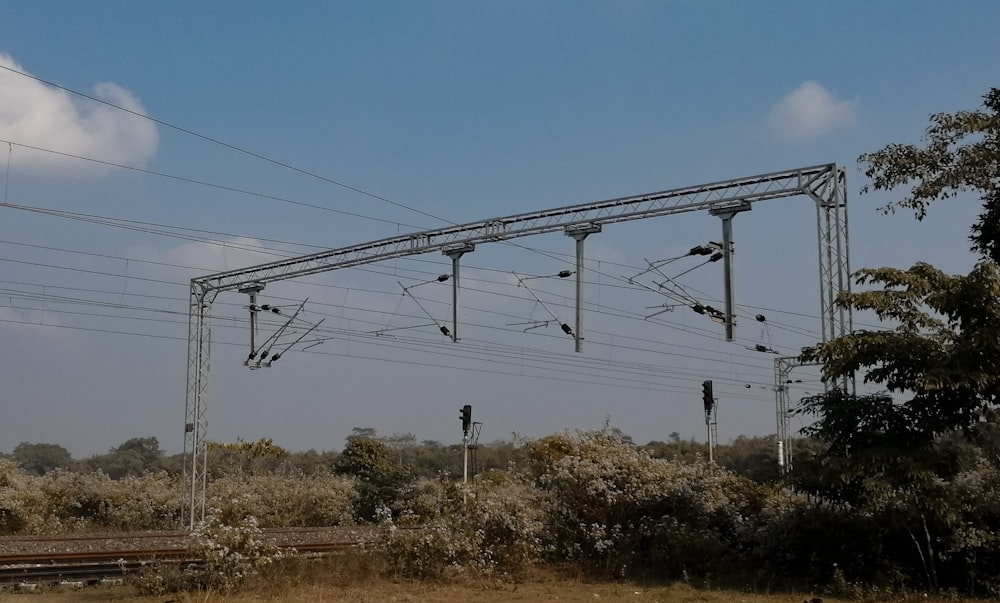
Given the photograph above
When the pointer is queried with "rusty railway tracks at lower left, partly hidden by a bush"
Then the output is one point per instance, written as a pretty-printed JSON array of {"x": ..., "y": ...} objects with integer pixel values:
[{"x": 93, "y": 558}]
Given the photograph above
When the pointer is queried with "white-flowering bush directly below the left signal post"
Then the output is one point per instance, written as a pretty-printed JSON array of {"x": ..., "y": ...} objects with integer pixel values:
[{"x": 491, "y": 528}]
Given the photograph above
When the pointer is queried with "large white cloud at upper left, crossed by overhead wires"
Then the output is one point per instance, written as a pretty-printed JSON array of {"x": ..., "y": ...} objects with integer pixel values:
[{"x": 32, "y": 113}]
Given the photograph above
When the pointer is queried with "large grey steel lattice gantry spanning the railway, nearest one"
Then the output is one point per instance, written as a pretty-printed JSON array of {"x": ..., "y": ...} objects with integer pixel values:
[{"x": 825, "y": 184}]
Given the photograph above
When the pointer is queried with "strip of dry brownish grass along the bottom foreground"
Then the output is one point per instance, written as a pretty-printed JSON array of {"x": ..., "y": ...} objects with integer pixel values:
[{"x": 356, "y": 579}]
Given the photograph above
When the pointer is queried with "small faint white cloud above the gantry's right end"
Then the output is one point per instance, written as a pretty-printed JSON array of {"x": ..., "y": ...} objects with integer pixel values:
[{"x": 808, "y": 112}]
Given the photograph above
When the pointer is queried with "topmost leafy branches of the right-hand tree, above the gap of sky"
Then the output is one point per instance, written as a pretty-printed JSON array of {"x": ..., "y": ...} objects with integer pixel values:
[{"x": 962, "y": 153}]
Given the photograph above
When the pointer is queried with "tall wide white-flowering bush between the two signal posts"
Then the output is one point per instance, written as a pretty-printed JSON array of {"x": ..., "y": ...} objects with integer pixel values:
[{"x": 614, "y": 510}]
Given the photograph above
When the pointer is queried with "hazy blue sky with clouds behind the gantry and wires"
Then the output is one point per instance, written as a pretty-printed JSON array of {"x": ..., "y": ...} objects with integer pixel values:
[{"x": 413, "y": 115}]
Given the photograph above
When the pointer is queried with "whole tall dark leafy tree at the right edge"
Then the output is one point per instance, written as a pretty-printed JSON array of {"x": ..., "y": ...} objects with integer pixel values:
[{"x": 890, "y": 454}]
